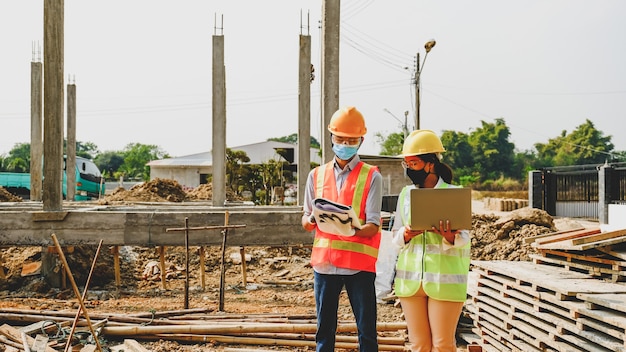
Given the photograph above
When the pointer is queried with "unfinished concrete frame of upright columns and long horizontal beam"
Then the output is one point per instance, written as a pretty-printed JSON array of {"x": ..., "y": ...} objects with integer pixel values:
[{"x": 32, "y": 223}]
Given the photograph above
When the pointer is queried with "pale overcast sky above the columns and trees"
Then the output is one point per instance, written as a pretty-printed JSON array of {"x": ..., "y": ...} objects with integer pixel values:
[{"x": 142, "y": 68}]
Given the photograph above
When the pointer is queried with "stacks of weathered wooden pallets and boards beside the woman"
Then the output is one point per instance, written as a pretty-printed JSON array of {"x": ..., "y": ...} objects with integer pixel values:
[{"x": 570, "y": 298}]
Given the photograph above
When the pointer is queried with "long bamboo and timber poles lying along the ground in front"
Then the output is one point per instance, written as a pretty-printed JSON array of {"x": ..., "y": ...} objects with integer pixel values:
[{"x": 194, "y": 326}]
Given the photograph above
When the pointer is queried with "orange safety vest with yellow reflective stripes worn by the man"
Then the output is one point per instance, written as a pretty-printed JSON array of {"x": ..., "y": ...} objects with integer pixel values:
[{"x": 357, "y": 253}]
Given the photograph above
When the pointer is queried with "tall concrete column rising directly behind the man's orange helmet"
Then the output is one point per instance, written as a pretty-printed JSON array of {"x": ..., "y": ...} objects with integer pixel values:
[{"x": 330, "y": 71}]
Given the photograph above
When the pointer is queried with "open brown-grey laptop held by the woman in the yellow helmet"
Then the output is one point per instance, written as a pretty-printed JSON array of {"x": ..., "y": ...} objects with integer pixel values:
[{"x": 430, "y": 205}]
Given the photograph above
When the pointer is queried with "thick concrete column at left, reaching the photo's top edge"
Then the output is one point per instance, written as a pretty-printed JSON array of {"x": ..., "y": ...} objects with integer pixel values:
[{"x": 53, "y": 104}]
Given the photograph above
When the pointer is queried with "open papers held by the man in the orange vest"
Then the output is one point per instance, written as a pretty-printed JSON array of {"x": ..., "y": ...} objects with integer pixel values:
[{"x": 335, "y": 218}]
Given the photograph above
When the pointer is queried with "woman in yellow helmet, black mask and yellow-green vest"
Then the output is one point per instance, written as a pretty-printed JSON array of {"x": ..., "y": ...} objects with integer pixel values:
[{"x": 433, "y": 264}]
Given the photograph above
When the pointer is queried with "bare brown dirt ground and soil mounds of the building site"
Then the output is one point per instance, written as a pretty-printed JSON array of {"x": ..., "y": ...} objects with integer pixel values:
[{"x": 279, "y": 280}]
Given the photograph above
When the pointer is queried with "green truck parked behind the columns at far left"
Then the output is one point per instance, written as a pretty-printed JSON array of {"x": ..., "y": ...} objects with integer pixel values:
[{"x": 89, "y": 182}]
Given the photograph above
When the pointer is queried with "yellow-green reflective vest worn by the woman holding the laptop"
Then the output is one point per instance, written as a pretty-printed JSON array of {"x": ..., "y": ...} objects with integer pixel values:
[{"x": 423, "y": 261}]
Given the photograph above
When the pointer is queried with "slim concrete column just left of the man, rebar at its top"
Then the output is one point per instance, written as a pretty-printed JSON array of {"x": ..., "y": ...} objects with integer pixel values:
[{"x": 304, "y": 115}]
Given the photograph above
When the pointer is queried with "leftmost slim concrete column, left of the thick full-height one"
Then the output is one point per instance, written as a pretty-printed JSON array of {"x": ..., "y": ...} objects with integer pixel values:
[{"x": 36, "y": 130}]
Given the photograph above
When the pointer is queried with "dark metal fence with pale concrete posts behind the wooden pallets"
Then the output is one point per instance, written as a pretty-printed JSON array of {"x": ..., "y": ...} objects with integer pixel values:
[{"x": 582, "y": 191}]
